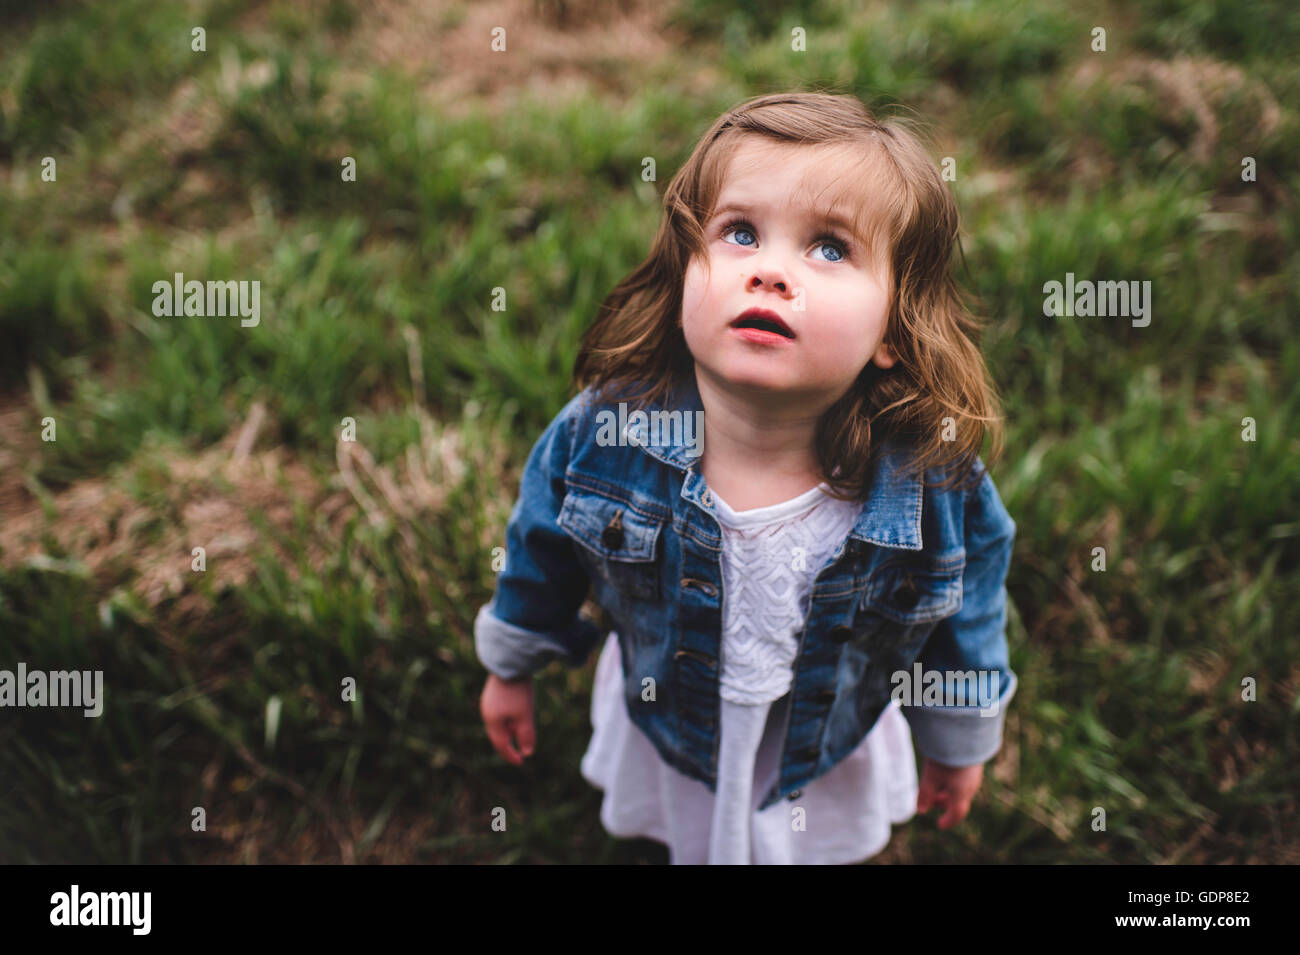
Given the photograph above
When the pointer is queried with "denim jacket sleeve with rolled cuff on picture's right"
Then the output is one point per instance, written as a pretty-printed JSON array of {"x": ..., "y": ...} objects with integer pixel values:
[{"x": 973, "y": 640}]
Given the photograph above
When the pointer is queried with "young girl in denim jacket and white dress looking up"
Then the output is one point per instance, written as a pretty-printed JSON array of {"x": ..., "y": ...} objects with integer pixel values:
[{"x": 782, "y": 572}]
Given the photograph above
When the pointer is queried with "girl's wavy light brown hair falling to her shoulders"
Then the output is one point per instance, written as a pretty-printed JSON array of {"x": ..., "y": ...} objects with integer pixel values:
[{"x": 636, "y": 351}]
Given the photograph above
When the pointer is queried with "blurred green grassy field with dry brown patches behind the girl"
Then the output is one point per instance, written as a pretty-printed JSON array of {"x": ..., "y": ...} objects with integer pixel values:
[{"x": 331, "y": 561}]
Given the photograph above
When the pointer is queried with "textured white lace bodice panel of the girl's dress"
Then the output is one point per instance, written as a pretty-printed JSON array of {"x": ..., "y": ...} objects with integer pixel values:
[{"x": 770, "y": 561}]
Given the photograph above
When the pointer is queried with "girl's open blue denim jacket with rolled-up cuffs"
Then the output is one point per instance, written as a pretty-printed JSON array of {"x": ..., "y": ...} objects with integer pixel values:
[{"x": 917, "y": 587}]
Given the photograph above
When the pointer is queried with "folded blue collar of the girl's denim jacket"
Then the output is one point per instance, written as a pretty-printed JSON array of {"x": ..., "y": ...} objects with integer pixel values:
[{"x": 891, "y": 516}]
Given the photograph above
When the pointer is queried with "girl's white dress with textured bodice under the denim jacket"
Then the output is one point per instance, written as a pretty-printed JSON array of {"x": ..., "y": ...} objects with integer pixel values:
[{"x": 770, "y": 562}]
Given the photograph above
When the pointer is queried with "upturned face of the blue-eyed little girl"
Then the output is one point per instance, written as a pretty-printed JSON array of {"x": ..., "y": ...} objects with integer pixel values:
[{"x": 778, "y": 259}]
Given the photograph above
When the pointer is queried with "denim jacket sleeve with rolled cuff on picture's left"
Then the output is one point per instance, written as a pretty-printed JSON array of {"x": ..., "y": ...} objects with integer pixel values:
[{"x": 534, "y": 617}]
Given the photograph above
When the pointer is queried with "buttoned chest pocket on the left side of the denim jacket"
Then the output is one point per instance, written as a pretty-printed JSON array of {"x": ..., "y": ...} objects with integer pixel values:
[{"x": 616, "y": 542}]
